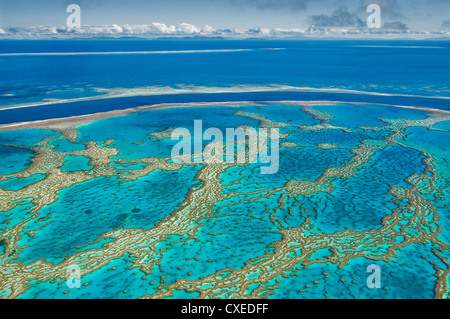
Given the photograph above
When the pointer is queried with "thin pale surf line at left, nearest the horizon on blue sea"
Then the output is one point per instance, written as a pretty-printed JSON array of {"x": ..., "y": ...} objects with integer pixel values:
[{"x": 120, "y": 52}]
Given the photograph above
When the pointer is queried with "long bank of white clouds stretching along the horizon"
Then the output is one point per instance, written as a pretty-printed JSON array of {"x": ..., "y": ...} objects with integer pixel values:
[{"x": 156, "y": 29}]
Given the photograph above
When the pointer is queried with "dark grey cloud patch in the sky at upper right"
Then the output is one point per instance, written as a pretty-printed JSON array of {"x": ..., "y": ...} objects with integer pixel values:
[{"x": 340, "y": 17}]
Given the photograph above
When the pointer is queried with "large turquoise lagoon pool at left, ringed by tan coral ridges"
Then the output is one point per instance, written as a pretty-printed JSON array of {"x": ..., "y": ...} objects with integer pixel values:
[{"x": 89, "y": 209}]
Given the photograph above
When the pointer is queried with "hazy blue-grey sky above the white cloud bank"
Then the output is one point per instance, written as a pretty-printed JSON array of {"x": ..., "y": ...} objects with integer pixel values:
[{"x": 418, "y": 15}]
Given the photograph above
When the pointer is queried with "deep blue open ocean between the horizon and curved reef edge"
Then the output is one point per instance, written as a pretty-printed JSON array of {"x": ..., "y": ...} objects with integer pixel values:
[{"x": 393, "y": 67}]
